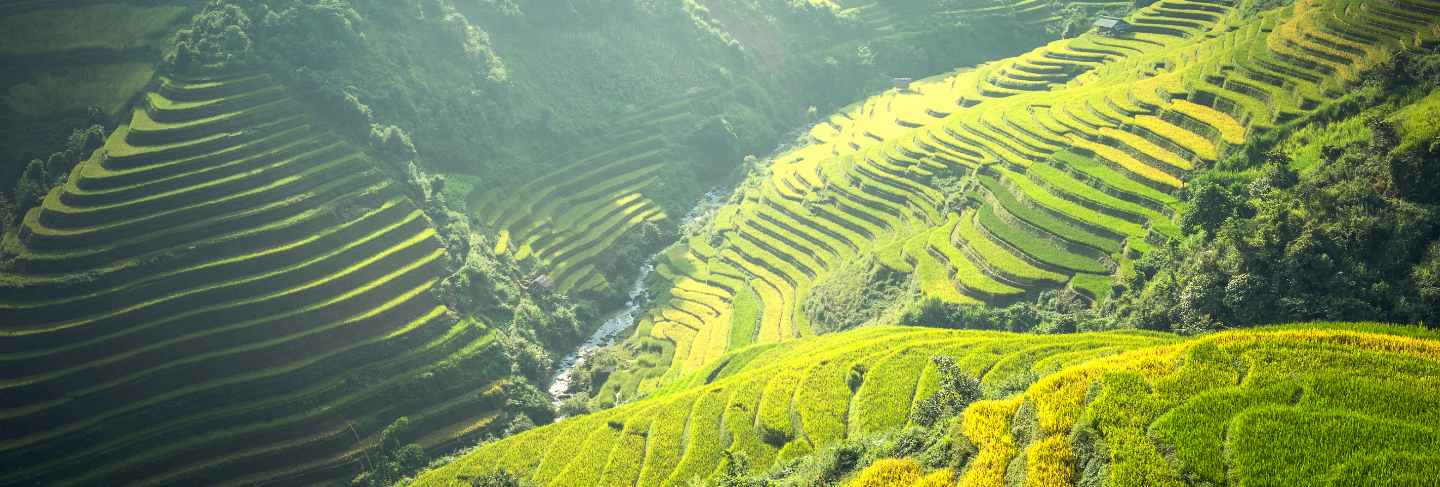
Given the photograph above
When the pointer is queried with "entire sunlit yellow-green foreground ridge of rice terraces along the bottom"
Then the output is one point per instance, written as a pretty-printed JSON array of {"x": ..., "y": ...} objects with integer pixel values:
[{"x": 1097, "y": 410}]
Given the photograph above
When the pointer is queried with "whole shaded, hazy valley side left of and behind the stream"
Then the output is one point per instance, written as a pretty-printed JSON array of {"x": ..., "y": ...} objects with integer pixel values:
[{"x": 237, "y": 237}]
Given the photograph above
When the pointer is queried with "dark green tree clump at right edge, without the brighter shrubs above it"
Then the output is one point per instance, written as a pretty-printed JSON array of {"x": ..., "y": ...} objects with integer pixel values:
[{"x": 1336, "y": 246}]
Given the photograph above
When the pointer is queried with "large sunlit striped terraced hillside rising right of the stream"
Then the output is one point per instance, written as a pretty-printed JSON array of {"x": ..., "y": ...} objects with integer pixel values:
[{"x": 1039, "y": 172}]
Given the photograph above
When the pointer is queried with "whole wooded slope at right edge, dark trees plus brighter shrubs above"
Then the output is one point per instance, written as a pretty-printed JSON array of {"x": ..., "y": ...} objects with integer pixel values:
[{"x": 1353, "y": 240}]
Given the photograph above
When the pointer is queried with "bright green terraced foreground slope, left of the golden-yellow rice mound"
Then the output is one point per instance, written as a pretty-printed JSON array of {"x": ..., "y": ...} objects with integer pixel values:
[{"x": 777, "y": 404}]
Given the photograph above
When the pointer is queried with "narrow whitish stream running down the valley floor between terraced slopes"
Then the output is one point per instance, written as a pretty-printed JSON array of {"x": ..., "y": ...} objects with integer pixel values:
[{"x": 624, "y": 319}]
